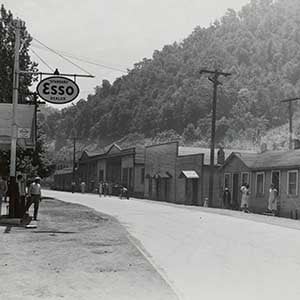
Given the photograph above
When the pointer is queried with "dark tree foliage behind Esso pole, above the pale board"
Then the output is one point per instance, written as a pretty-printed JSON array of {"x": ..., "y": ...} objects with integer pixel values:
[{"x": 7, "y": 43}]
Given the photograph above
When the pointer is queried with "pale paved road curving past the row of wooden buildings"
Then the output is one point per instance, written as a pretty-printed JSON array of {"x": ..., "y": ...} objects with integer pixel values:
[{"x": 209, "y": 254}]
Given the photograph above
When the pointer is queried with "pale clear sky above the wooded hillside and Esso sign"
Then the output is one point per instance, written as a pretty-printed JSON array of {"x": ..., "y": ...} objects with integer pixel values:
[{"x": 110, "y": 33}]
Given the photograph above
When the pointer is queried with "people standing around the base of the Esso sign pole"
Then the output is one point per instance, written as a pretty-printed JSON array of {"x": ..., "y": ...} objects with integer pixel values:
[{"x": 26, "y": 195}]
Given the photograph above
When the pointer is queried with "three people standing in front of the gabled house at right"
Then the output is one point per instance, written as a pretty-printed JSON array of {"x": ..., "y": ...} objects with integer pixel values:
[{"x": 272, "y": 204}]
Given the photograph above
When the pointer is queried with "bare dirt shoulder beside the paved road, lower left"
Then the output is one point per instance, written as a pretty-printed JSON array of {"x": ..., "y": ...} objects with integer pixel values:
[{"x": 75, "y": 253}]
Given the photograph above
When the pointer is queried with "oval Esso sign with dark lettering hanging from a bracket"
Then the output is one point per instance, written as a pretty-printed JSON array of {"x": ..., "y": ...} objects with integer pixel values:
[{"x": 57, "y": 89}]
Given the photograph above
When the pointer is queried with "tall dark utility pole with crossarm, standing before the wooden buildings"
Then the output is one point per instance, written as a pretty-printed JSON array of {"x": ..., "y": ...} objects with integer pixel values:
[{"x": 216, "y": 82}]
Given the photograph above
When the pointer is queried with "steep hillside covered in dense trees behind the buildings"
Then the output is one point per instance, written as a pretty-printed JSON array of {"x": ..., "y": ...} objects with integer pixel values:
[{"x": 259, "y": 45}]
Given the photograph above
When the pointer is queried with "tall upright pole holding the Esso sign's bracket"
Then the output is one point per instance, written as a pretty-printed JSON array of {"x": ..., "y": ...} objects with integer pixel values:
[{"x": 14, "y": 135}]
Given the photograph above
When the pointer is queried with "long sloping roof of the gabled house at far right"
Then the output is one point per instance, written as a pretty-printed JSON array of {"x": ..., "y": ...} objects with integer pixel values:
[{"x": 271, "y": 159}]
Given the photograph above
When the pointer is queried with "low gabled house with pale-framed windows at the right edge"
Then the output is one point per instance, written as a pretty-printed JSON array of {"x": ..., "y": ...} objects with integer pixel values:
[{"x": 280, "y": 168}]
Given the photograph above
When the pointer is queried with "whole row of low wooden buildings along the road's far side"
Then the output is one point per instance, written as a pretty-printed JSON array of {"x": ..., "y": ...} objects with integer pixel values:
[{"x": 171, "y": 173}]
